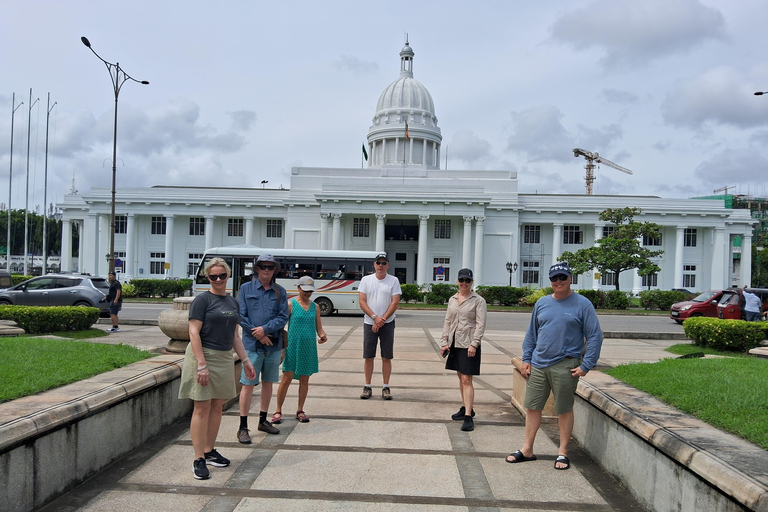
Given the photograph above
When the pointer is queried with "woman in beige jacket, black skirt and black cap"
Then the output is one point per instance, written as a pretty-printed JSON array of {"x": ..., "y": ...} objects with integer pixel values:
[{"x": 463, "y": 329}]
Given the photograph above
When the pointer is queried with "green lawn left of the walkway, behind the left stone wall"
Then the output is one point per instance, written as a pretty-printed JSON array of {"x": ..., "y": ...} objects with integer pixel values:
[{"x": 29, "y": 364}]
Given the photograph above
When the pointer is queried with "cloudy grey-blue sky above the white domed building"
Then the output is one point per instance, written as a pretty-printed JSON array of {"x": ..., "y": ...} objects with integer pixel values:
[{"x": 241, "y": 91}]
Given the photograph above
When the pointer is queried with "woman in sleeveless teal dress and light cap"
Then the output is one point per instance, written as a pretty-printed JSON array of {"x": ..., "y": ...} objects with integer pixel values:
[{"x": 301, "y": 361}]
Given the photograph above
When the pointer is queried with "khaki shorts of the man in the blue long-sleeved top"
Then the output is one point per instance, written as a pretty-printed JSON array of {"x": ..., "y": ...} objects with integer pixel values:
[{"x": 557, "y": 379}]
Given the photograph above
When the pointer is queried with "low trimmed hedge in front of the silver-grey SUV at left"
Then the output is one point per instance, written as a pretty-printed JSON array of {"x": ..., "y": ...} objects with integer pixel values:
[{"x": 40, "y": 319}]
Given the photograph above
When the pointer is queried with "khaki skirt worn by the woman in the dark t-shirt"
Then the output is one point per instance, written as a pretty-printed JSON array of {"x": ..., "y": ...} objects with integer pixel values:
[{"x": 221, "y": 369}]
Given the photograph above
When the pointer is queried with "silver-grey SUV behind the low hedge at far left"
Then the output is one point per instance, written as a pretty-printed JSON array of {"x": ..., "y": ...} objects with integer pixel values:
[{"x": 59, "y": 290}]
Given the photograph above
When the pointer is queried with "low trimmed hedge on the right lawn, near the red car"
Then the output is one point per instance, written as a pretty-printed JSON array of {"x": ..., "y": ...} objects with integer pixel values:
[{"x": 732, "y": 335}]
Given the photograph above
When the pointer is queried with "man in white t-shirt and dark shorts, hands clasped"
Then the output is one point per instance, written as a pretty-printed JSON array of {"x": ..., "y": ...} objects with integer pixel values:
[{"x": 379, "y": 298}]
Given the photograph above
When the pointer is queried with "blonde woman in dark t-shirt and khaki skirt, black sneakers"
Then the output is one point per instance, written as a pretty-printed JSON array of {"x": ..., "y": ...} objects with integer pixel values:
[{"x": 206, "y": 374}]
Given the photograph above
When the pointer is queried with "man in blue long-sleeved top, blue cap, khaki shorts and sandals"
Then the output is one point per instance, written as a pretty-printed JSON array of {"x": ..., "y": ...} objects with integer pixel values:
[{"x": 555, "y": 355}]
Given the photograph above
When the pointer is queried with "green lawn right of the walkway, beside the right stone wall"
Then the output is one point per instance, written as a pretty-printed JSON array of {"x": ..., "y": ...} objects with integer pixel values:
[{"x": 728, "y": 393}]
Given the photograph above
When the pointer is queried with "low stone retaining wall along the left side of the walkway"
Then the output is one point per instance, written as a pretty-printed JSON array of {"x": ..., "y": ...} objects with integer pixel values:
[{"x": 51, "y": 442}]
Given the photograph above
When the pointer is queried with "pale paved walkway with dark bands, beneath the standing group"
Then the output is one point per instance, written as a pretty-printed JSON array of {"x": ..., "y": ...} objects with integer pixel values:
[{"x": 404, "y": 454}]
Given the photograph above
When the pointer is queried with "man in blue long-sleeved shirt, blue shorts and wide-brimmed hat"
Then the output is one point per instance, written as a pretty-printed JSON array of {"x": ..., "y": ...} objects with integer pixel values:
[{"x": 263, "y": 314}]
